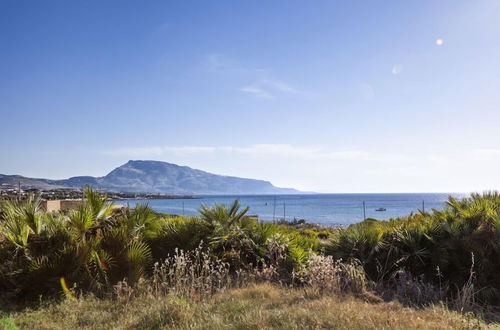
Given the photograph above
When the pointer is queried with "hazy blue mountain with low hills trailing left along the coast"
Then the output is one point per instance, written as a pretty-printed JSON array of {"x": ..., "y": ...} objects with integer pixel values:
[{"x": 145, "y": 176}]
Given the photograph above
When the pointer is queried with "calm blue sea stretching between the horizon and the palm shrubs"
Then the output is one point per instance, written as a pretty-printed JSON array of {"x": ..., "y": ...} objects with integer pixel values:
[{"x": 325, "y": 209}]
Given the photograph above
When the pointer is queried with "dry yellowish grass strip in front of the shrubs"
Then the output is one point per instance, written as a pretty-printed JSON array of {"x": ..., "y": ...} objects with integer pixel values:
[{"x": 262, "y": 306}]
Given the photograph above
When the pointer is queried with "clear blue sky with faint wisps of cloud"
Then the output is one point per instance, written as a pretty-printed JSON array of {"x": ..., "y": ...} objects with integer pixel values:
[{"x": 327, "y": 96}]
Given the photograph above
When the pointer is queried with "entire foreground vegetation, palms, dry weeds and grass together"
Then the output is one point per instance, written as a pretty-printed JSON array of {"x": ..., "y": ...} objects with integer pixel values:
[{"x": 94, "y": 256}]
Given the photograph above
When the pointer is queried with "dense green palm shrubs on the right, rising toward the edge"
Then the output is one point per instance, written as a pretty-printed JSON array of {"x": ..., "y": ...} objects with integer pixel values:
[{"x": 454, "y": 251}]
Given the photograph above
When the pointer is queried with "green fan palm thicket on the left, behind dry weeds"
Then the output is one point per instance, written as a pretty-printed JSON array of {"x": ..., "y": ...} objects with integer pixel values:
[{"x": 93, "y": 248}]
